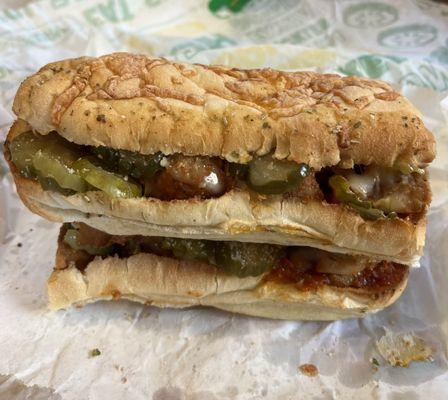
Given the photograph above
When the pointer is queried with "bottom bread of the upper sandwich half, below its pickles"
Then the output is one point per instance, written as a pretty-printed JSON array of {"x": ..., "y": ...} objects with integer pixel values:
[{"x": 237, "y": 215}]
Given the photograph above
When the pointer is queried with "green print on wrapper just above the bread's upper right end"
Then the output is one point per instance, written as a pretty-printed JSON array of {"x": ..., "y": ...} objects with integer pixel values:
[{"x": 371, "y": 66}]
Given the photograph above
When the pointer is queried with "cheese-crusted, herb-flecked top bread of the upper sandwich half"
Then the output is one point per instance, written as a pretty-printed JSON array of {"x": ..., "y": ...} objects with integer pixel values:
[{"x": 147, "y": 105}]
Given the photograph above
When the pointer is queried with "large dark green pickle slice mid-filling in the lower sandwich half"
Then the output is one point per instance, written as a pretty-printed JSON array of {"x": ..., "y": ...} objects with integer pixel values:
[{"x": 246, "y": 259}]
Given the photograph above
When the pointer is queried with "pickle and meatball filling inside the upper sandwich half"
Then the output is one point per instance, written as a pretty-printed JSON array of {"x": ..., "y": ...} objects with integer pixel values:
[{"x": 59, "y": 165}]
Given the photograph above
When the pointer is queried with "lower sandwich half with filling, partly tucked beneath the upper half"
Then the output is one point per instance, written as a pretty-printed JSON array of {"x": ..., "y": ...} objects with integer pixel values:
[{"x": 281, "y": 282}]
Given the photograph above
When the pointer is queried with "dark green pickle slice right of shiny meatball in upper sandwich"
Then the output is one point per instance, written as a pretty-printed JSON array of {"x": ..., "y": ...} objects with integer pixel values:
[{"x": 267, "y": 175}]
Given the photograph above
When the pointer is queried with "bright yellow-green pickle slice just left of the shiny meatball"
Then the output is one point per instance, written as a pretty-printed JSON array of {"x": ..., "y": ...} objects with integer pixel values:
[{"x": 108, "y": 182}]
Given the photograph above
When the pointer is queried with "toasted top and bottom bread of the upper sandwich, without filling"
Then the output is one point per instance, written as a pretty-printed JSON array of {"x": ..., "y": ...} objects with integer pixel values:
[{"x": 147, "y": 105}]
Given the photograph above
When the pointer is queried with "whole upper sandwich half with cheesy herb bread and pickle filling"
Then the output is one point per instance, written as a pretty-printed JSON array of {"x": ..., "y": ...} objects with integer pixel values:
[{"x": 134, "y": 145}]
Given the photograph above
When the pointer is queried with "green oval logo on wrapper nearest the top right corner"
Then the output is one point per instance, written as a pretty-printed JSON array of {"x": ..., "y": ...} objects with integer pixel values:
[{"x": 414, "y": 35}]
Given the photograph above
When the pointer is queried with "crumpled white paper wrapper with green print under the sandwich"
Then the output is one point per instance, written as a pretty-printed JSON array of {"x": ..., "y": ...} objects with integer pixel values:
[{"x": 118, "y": 350}]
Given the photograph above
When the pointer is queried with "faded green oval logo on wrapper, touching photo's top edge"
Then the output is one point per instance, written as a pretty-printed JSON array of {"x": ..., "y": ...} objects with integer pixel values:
[{"x": 370, "y": 15}]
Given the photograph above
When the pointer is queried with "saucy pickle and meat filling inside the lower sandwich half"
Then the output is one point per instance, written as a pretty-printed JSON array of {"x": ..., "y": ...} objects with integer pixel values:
[{"x": 305, "y": 268}]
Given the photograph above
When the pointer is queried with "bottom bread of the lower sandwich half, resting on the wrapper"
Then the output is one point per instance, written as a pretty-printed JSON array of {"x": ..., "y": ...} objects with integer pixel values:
[{"x": 167, "y": 282}]
